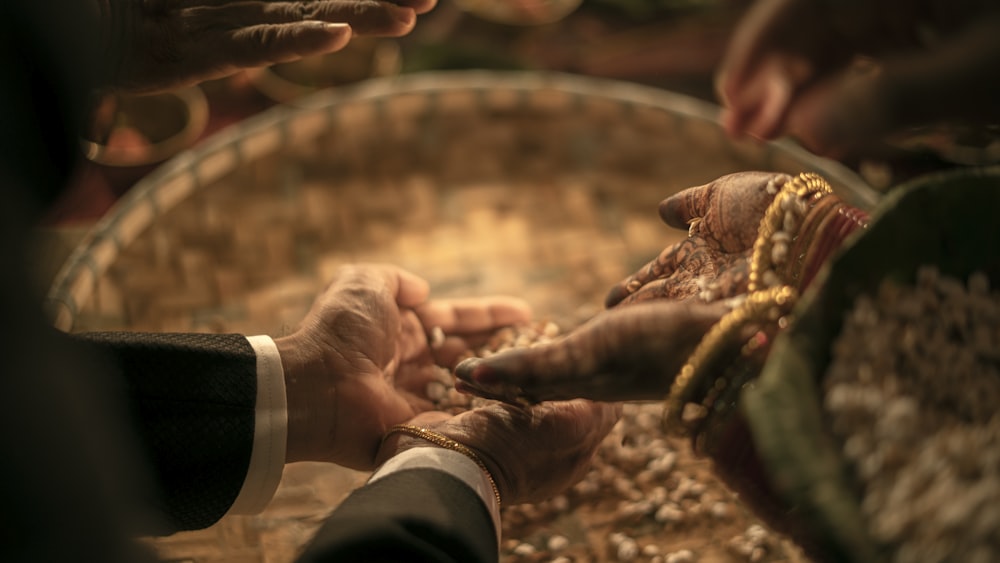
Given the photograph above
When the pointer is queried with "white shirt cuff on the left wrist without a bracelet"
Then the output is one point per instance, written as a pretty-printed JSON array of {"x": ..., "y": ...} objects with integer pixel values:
[{"x": 267, "y": 459}]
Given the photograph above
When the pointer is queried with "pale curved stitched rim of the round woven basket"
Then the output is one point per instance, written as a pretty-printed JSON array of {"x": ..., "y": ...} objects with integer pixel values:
[{"x": 171, "y": 182}]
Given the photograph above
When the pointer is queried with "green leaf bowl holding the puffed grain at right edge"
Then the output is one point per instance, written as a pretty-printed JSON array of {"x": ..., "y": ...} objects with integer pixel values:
[{"x": 948, "y": 220}]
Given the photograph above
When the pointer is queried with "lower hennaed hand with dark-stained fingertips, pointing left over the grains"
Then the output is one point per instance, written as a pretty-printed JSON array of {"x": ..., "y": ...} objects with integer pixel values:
[{"x": 631, "y": 353}]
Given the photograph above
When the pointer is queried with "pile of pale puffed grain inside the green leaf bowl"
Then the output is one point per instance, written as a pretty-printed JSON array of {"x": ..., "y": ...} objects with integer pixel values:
[{"x": 912, "y": 394}]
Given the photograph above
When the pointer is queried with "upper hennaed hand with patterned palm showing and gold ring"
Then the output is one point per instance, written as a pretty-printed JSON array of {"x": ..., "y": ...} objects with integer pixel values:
[{"x": 712, "y": 263}]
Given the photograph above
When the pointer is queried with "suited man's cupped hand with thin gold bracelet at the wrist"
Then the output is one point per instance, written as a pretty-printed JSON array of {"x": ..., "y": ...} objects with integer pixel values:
[{"x": 532, "y": 454}]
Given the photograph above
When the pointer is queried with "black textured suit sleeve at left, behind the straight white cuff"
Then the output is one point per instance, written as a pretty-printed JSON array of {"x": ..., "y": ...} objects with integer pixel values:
[{"x": 192, "y": 398}]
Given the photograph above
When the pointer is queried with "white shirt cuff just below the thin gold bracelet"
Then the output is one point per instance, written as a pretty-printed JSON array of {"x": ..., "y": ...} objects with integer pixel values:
[{"x": 451, "y": 462}]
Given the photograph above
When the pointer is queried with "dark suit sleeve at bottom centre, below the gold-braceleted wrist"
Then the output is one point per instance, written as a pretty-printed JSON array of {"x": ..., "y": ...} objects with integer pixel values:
[{"x": 415, "y": 515}]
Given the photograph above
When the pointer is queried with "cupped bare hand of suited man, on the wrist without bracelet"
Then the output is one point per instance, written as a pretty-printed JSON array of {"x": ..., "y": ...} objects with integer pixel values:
[{"x": 360, "y": 362}]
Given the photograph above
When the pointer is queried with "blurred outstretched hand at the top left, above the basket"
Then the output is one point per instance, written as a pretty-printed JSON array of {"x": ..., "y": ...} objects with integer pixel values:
[{"x": 156, "y": 45}]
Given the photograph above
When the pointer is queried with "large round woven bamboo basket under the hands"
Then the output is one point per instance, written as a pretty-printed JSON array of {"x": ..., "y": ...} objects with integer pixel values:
[{"x": 538, "y": 185}]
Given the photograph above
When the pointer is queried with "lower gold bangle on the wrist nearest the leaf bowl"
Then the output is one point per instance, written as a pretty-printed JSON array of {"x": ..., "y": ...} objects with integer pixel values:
[{"x": 765, "y": 306}]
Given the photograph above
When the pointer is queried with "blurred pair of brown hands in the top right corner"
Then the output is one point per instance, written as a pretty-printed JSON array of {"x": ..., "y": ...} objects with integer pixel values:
[{"x": 841, "y": 76}]
